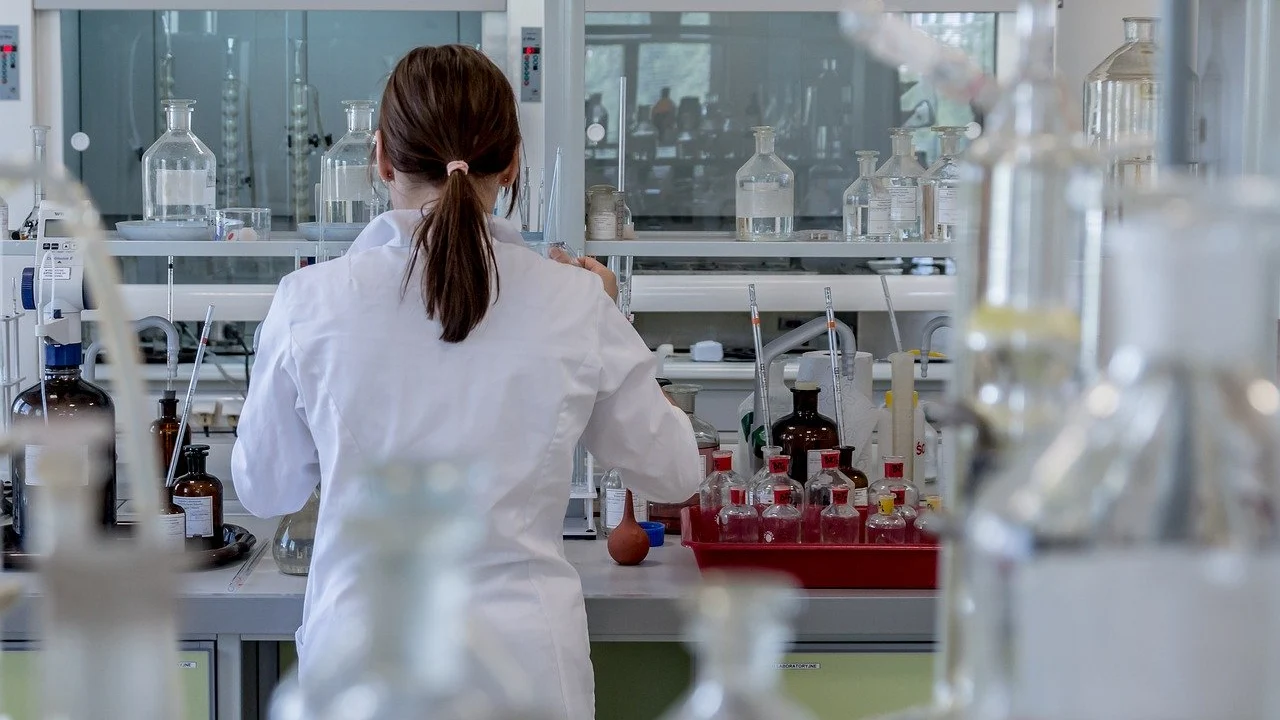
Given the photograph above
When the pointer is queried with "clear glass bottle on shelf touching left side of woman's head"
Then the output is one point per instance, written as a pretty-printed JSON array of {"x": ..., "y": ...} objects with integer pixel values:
[{"x": 346, "y": 170}]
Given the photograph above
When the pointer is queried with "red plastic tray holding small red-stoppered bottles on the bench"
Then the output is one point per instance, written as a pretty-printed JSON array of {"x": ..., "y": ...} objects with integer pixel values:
[{"x": 862, "y": 567}]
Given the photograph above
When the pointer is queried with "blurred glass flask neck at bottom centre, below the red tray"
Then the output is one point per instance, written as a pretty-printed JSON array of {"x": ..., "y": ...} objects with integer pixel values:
[{"x": 739, "y": 630}]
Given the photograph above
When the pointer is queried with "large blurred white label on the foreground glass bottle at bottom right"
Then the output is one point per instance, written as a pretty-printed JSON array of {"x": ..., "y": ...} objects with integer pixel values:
[{"x": 1167, "y": 635}]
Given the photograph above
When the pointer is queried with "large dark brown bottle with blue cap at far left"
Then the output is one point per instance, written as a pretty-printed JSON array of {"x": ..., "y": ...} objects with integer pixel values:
[{"x": 66, "y": 395}]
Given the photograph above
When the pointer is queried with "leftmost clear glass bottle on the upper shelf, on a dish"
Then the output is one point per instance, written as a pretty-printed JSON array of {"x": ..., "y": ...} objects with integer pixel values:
[{"x": 180, "y": 174}]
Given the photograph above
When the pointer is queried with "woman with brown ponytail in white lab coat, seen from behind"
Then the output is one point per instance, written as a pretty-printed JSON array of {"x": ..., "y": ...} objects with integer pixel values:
[{"x": 438, "y": 338}]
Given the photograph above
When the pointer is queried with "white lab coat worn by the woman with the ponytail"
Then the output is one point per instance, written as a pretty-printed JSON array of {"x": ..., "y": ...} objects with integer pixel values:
[{"x": 350, "y": 371}]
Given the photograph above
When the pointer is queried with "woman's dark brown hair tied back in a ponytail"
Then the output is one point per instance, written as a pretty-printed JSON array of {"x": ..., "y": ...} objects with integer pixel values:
[{"x": 445, "y": 108}]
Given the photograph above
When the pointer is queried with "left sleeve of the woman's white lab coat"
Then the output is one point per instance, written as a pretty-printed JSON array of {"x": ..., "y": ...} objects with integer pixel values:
[{"x": 275, "y": 464}]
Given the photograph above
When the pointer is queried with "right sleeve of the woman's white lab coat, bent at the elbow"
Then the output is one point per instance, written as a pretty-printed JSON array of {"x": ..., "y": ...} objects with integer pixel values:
[{"x": 633, "y": 427}]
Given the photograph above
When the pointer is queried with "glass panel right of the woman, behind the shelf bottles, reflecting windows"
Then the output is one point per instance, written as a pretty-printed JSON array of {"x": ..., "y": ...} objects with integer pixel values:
[{"x": 698, "y": 83}]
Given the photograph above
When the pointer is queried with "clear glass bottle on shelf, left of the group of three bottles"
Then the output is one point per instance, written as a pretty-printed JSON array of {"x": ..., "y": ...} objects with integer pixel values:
[{"x": 766, "y": 194}]
